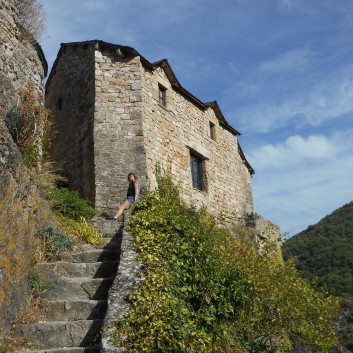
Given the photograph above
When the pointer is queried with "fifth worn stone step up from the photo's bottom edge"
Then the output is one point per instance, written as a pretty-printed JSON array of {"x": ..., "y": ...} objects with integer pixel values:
[{"x": 76, "y": 269}]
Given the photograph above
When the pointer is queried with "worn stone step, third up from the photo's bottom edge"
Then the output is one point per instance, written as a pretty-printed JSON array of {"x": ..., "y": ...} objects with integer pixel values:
[{"x": 73, "y": 310}]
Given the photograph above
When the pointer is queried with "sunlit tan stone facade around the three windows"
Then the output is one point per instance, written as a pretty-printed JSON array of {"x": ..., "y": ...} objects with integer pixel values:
[{"x": 171, "y": 132}]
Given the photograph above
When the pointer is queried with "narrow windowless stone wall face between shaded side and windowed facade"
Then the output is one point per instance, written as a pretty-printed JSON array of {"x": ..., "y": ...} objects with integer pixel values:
[{"x": 119, "y": 141}]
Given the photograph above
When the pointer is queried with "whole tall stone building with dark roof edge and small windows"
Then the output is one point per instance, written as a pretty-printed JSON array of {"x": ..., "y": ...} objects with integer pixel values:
[{"x": 117, "y": 112}]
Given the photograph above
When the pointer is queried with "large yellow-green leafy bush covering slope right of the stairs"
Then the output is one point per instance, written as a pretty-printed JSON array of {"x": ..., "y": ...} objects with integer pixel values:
[{"x": 204, "y": 291}]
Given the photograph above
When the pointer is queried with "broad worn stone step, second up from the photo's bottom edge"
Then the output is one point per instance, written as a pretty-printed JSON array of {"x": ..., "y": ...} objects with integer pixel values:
[{"x": 59, "y": 334}]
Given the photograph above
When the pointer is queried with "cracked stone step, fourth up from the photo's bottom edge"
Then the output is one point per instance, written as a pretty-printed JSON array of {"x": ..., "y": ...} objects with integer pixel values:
[{"x": 80, "y": 288}]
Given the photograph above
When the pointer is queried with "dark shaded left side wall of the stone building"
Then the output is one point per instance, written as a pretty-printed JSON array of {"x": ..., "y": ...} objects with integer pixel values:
[{"x": 70, "y": 95}]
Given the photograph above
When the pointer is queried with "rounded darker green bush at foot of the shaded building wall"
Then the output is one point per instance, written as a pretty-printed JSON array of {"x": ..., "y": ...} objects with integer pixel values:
[{"x": 69, "y": 204}]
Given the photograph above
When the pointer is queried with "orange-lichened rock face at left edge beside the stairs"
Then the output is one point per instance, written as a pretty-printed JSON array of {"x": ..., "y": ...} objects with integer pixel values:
[{"x": 16, "y": 228}]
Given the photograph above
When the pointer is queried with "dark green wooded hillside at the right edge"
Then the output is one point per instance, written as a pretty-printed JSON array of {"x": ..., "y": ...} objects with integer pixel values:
[{"x": 325, "y": 251}]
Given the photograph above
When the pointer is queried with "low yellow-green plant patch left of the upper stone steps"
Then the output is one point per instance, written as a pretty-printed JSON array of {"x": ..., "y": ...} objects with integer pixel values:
[{"x": 80, "y": 229}]
